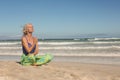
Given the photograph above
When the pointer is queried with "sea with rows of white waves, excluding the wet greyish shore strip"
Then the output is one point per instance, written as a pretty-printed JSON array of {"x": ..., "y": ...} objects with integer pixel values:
[{"x": 67, "y": 47}]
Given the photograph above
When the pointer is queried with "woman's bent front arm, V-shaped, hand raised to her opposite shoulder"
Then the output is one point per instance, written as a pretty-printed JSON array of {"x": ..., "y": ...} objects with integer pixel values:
[{"x": 25, "y": 44}]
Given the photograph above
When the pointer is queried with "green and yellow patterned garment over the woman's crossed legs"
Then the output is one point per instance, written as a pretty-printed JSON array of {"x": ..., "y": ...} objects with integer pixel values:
[{"x": 35, "y": 59}]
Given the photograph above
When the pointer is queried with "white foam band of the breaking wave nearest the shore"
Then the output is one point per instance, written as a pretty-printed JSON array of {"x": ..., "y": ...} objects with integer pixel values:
[{"x": 71, "y": 54}]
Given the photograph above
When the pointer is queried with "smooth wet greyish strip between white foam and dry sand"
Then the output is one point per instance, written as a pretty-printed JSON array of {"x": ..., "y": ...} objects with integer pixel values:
[{"x": 80, "y": 59}]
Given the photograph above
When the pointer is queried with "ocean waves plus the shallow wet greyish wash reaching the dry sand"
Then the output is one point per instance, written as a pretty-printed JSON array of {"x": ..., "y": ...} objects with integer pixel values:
[{"x": 83, "y": 49}]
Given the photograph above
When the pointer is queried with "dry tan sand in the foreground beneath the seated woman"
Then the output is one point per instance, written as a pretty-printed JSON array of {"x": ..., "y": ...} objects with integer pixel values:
[{"x": 11, "y": 70}]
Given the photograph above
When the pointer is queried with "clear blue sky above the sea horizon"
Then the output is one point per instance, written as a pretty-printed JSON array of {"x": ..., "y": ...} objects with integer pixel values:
[{"x": 60, "y": 18}]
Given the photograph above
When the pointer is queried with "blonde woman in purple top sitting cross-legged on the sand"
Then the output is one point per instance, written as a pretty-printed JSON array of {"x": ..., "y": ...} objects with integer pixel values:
[{"x": 30, "y": 48}]
